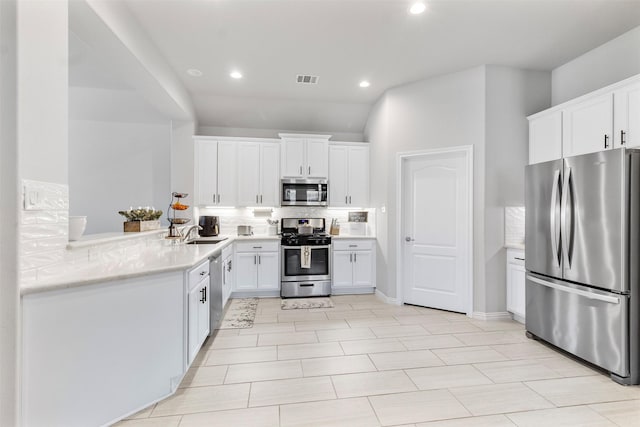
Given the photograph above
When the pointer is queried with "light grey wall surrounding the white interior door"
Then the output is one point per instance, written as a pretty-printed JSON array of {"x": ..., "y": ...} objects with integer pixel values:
[{"x": 444, "y": 111}]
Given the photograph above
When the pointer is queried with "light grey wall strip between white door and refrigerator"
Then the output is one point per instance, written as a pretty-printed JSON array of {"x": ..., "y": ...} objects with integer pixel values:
[{"x": 511, "y": 95}]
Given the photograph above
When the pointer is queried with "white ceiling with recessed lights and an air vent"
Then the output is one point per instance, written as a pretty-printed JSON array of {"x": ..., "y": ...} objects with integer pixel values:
[{"x": 346, "y": 41}]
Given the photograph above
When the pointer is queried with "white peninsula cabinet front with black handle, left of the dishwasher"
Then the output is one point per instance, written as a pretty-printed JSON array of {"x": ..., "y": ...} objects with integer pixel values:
[{"x": 198, "y": 309}]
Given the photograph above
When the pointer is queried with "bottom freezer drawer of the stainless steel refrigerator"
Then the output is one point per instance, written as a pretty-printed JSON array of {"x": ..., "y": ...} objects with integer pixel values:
[{"x": 590, "y": 324}]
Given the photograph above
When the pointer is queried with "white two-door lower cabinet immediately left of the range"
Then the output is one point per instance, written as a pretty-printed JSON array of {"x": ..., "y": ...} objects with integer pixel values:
[{"x": 257, "y": 266}]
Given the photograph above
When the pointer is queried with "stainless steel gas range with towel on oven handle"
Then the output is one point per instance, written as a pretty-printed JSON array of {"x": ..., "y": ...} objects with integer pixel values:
[{"x": 306, "y": 258}]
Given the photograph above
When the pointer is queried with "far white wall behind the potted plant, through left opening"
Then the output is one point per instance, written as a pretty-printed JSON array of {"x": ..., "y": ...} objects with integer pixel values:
[{"x": 115, "y": 165}]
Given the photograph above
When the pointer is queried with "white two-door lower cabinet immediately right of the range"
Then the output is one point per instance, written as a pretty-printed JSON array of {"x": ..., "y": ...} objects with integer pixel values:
[{"x": 353, "y": 266}]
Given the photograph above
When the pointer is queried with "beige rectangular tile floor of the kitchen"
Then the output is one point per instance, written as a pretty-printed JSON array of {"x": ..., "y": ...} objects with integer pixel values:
[{"x": 367, "y": 363}]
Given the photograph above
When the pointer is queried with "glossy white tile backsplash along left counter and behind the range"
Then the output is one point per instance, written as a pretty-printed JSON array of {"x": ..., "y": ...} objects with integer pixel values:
[{"x": 44, "y": 233}]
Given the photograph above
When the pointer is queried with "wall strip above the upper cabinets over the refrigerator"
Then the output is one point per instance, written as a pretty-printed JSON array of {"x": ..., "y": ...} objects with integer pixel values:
[{"x": 613, "y": 61}]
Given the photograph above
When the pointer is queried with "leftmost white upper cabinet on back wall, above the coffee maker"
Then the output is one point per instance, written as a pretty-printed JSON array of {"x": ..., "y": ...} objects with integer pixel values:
[{"x": 215, "y": 179}]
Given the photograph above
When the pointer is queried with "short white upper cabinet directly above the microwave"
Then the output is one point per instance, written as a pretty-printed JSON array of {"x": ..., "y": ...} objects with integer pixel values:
[{"x": 304, "y": 156}]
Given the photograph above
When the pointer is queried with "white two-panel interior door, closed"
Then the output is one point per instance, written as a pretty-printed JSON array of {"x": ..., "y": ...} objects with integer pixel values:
[{"x": 436, "y": 239}]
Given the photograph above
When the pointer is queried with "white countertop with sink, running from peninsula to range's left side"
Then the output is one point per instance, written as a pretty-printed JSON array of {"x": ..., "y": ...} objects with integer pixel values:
[{"x": 158, "y": 258}]
